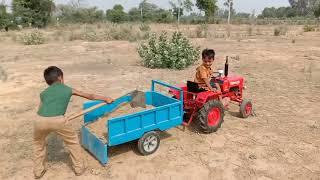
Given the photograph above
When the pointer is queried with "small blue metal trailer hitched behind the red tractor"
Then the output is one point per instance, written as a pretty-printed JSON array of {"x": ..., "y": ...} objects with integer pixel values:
[{"x": 143, "y": 126}]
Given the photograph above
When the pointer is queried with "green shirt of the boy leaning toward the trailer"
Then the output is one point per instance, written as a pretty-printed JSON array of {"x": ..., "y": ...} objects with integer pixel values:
[{"x": 55, "y": 100}]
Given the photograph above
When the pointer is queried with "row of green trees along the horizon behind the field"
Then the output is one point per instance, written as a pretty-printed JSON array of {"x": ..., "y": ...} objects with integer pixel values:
[{"x": 39, "y": 13}]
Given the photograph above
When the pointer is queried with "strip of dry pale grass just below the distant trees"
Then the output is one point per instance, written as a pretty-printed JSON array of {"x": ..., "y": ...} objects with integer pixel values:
[{"x": 135, "y": 32}]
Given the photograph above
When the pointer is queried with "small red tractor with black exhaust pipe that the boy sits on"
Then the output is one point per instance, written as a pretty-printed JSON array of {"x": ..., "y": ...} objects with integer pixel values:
[{"x": 205, "y": 107}]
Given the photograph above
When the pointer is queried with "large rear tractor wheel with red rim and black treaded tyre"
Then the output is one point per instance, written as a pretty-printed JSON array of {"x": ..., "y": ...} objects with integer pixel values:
[{"x": 210, "y": 116}]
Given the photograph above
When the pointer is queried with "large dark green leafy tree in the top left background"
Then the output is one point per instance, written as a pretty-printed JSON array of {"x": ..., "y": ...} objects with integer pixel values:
[{"x": 35, "y": 12}]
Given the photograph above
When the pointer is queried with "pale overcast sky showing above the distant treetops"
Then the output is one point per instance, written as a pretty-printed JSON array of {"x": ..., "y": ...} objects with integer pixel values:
[{"x": 240, "y": 5}]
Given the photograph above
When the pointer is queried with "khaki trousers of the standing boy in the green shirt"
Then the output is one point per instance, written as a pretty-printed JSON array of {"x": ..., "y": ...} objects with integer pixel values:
[{"x": 45, "y": 125}]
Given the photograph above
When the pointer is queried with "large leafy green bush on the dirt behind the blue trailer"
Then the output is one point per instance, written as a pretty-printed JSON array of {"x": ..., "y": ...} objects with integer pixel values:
[{"x": 162, "y": 52}]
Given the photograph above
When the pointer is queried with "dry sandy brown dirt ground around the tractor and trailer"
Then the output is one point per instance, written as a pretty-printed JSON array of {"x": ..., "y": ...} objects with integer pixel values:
[{"x": 281, "y": 142}]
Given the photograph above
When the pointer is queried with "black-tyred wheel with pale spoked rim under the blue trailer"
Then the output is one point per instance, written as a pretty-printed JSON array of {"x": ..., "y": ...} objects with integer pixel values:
[{"x": 149, "y": 143}]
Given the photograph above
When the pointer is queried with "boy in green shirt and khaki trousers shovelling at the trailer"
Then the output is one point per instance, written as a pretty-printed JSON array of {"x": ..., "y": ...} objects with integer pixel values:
[{"x": 54, "y": 103}]
